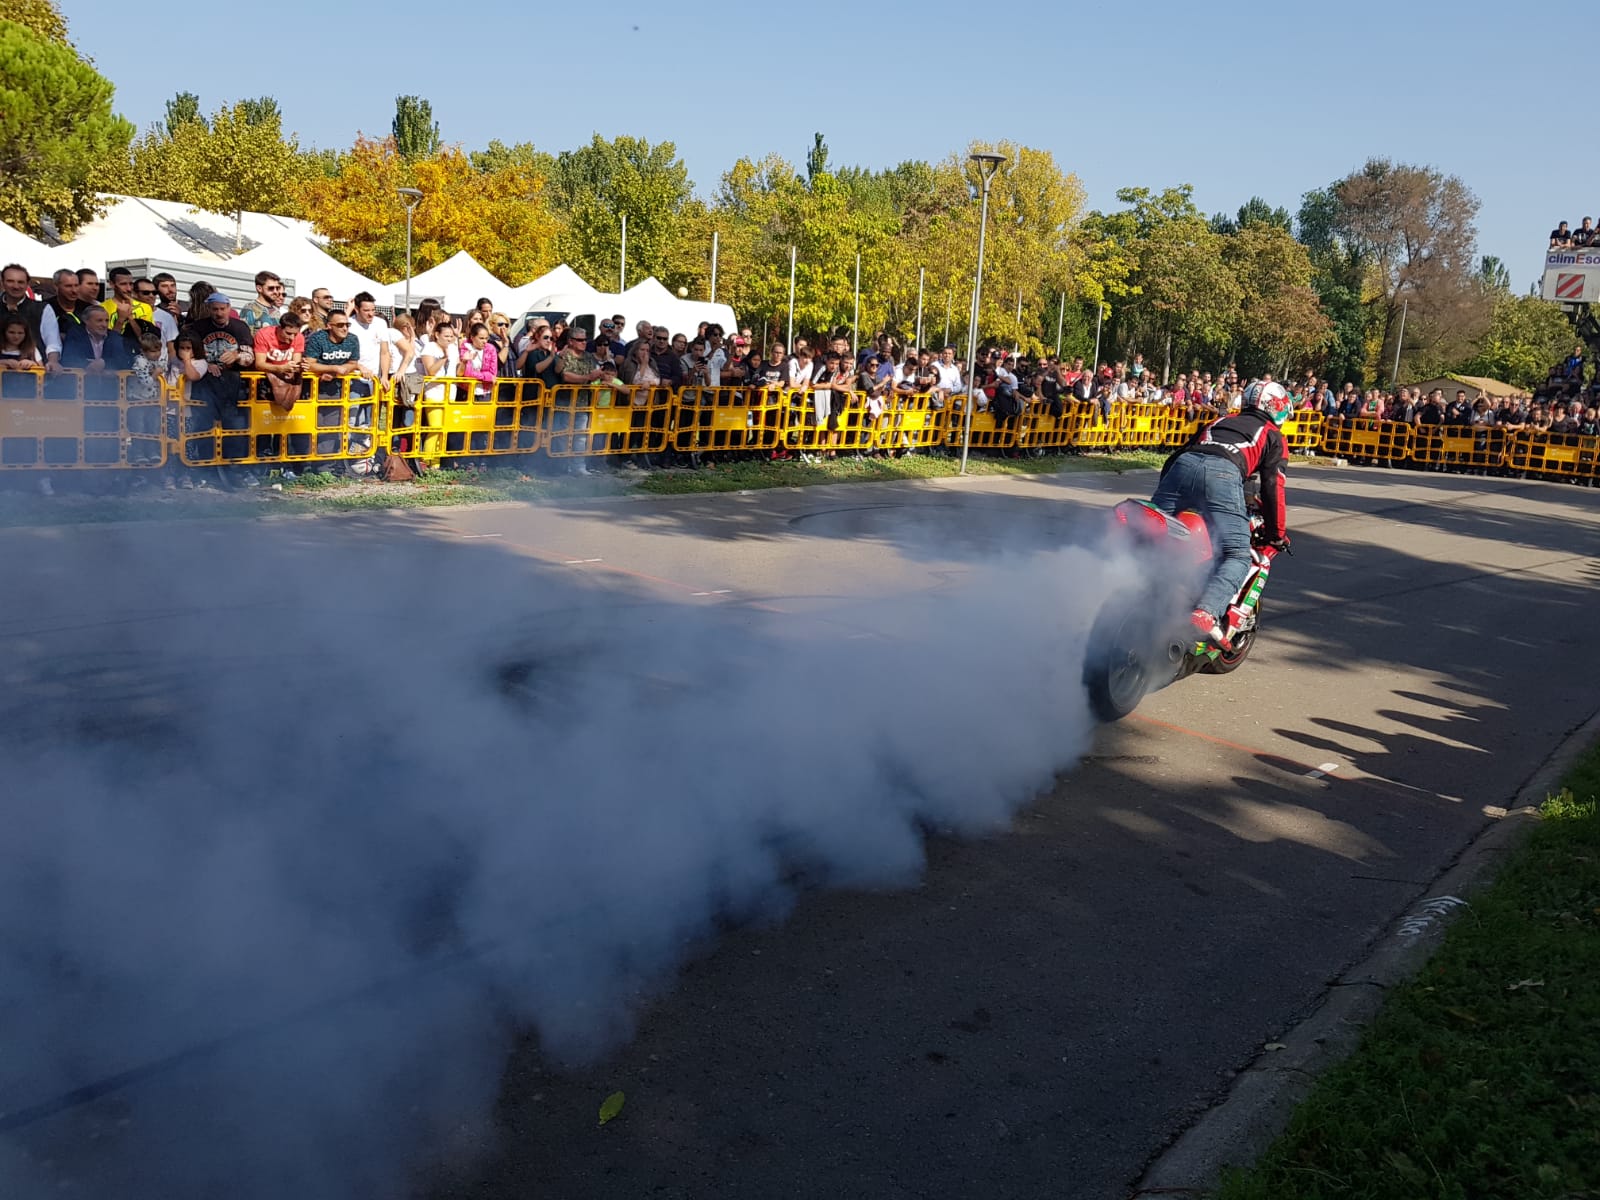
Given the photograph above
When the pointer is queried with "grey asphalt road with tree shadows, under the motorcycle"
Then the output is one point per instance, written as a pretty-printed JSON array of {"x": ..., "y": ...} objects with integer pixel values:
[{"x": 1054, "y": 1004}]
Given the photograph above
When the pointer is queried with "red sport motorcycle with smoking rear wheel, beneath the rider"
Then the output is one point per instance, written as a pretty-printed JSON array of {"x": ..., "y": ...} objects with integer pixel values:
[{"x": 1142, "y": 639}]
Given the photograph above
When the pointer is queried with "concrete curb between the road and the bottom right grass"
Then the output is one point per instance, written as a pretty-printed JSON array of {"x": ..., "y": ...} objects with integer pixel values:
[{"x": 1263, "y": 1097}]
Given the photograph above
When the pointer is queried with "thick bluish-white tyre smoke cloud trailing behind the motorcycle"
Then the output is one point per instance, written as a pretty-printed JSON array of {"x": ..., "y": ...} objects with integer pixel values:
[{"x": 282, "y": 879}]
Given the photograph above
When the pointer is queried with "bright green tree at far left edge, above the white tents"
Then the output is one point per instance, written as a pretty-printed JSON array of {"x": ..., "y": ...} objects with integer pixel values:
[{"x": 60, "y": 140}]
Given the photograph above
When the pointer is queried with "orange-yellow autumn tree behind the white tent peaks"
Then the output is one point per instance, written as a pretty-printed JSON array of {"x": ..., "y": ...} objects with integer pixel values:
[{"x": 502, "y": 217}]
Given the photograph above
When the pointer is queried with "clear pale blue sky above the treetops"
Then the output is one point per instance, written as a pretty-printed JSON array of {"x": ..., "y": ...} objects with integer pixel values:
[{"x": 1238, "y": 100}]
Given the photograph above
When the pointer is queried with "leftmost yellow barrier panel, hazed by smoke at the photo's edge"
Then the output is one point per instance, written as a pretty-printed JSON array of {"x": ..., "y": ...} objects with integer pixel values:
[{"x": 74, "y": 420}]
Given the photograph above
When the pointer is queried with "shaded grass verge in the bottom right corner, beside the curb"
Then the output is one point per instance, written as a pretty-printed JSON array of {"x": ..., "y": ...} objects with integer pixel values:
[{"x": 1481, "y": 1078}]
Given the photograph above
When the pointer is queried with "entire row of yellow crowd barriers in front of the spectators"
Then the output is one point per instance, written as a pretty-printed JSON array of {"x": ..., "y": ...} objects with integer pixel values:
[{"x": 81, "y": 420}]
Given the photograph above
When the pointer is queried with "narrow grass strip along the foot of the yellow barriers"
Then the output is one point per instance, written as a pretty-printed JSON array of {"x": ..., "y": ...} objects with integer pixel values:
[{"x": 86, "y": 498}]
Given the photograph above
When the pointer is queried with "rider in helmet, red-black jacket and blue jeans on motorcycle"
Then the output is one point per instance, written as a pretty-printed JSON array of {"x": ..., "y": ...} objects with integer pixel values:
[{"x": 1209, "y": 478}]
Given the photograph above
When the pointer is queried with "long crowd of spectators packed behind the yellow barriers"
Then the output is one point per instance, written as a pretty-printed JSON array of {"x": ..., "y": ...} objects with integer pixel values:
[{"x": 319, "y": 346}]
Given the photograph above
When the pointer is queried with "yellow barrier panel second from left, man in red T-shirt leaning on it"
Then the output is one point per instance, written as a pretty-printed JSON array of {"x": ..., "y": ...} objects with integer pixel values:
[{"x": 334, "y": 420}]
